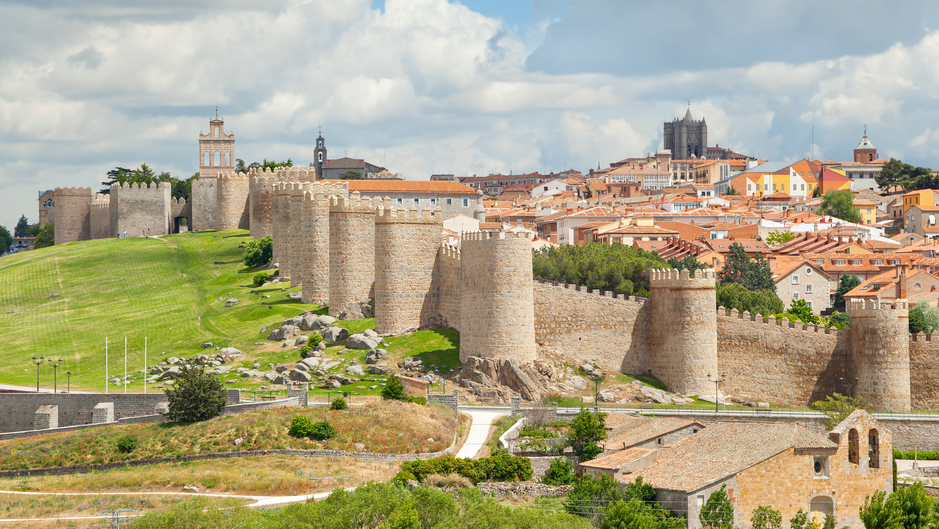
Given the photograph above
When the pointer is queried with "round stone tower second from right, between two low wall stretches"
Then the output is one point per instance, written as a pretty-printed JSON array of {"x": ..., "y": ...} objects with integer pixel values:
[{"x": 683, "y": 345}]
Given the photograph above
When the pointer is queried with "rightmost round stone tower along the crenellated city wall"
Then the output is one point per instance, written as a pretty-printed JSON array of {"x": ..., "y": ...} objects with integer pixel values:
[{"x": 880, "y": 350}]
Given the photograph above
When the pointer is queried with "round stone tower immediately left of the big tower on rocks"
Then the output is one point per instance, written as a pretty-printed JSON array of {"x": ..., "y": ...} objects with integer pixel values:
[{"x": 406, "y": 245}]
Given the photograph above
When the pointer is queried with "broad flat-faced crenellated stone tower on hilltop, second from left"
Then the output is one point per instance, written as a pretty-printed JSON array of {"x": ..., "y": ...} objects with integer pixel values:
[{"x": 140, "y": 210}]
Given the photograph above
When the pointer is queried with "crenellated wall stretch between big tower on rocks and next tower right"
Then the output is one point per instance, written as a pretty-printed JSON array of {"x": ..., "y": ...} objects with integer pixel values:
[{"x": 602, "y": 328}]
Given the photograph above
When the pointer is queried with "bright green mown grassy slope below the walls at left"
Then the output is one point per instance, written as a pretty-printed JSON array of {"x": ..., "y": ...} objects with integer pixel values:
[{"x": 134, "y": 288}]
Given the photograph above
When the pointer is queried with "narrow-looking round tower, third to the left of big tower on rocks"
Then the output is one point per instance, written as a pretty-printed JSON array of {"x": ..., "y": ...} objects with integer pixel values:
[{"x": 314, "y": 258}]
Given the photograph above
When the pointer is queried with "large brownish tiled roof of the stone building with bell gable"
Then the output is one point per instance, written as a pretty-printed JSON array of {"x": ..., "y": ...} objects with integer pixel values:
[{"x": 723, "y": 449}]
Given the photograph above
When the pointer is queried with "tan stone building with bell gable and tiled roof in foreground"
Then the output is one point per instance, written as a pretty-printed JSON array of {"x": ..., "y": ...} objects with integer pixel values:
[{"x": 781, "y": 465}]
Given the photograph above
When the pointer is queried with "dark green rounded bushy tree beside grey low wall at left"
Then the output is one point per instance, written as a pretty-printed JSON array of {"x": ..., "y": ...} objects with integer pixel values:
[{"x": 196, "y": 396}]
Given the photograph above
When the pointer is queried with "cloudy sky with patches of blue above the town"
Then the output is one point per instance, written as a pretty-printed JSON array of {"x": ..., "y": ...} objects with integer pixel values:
[{"x": 470, "y": 87}]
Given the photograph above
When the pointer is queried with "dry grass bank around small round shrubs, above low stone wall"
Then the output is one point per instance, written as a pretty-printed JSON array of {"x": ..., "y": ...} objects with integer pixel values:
[{"x": 384, "y": 427}]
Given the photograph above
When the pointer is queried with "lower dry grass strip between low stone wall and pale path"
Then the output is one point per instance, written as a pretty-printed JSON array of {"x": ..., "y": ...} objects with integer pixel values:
[{"x": 250, "y": 476}]
